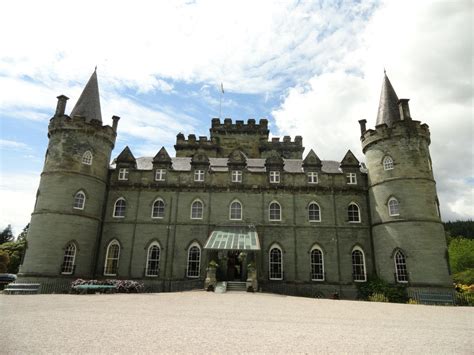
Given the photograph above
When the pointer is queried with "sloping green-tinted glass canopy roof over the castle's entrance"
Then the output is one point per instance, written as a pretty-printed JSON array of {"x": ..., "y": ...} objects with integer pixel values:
[{"x": 233, "y": 238}]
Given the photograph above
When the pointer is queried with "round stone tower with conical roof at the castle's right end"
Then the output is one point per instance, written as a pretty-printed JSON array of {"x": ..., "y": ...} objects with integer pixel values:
[{"x": 408, "y": 236}]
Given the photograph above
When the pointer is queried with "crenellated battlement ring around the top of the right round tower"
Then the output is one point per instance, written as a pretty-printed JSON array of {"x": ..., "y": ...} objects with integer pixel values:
[{"x": 403, "y": 128}]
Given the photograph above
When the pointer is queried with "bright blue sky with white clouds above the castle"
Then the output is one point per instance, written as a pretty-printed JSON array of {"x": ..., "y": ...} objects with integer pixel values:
[{"x": 312, "y": 68}]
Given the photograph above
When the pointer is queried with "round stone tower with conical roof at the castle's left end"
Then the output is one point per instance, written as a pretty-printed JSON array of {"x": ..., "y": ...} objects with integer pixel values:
[{"x": 67, "y": 217}]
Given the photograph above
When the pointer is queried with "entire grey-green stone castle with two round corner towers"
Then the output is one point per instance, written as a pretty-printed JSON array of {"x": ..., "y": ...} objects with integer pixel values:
[{"x": 256, "y": 207}]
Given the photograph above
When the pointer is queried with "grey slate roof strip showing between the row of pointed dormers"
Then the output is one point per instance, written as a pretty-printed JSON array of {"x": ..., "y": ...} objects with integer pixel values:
[{"x": 253, "y": 165}]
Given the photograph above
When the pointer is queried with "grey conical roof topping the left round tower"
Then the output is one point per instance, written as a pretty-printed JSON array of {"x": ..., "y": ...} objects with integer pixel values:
[{"x": 88, "y": 105}]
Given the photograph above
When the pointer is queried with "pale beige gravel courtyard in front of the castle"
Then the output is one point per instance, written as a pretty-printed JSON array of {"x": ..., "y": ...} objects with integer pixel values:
[{"x": 234, "y": 322}]
